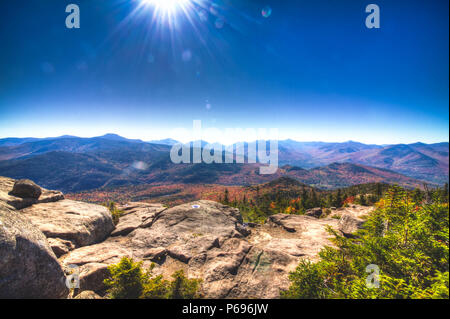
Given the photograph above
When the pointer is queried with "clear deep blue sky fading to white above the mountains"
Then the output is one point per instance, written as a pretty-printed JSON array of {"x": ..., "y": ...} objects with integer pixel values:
[{"x": 311, "y": 69}]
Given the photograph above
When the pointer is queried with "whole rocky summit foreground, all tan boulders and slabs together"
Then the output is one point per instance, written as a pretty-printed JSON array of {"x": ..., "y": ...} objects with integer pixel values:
[{"x": 46, "y": 238}]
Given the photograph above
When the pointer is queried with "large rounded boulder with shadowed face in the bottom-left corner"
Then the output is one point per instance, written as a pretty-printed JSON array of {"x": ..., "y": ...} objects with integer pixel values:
[{"x": 28, "y": 267}]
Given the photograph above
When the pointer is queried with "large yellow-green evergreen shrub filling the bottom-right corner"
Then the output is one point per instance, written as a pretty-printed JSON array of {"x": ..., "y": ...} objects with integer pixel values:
[{"x": 407, "y": 240}]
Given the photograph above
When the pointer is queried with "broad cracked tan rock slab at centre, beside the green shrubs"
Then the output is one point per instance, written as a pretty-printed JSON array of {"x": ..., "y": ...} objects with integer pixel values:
[{"x": 209, "y": 241}]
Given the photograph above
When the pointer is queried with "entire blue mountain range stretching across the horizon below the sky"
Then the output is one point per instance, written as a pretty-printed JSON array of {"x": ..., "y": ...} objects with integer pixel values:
[{"x": 73, "y": 164}]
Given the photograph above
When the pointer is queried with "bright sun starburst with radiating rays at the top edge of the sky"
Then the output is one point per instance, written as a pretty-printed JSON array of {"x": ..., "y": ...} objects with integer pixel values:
[{"x": 170, "y": 25}]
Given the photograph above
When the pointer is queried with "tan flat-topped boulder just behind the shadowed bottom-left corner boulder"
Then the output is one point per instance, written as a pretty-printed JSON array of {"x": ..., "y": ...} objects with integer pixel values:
[{"x": 80, "y": 223}]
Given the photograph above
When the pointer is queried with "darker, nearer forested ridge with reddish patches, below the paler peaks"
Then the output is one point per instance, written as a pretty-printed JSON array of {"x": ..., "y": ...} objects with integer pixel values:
[{"x": 74, "y": 172}]
